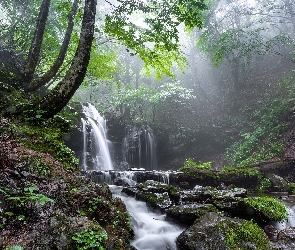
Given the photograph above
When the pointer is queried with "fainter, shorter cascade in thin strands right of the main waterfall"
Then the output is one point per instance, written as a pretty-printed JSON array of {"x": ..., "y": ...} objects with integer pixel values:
[{"x": 139, "y": 148}]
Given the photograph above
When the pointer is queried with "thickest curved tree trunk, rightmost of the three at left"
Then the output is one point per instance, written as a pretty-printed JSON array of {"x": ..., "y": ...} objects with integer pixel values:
[{"x": 58, "y": 97}]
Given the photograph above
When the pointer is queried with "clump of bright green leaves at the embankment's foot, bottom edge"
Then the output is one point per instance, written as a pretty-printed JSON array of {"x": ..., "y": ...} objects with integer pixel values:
[{"x": 92, "y": 238}]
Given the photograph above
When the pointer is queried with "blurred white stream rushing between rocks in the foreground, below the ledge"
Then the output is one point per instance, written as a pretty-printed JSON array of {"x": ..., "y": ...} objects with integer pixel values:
[{"x": 152, "y": 232}]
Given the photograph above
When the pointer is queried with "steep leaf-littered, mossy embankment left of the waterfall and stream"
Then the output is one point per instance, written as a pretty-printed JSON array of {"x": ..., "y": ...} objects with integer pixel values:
[{"x": 45, "y": 202}]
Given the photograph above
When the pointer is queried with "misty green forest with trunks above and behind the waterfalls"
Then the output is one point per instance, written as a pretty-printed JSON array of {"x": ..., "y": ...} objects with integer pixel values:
[{"x": 215, "y": 81}]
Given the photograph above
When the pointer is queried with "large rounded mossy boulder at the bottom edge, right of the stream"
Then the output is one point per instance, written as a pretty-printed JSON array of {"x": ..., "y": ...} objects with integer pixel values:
[{"x": 214, "y": 231}]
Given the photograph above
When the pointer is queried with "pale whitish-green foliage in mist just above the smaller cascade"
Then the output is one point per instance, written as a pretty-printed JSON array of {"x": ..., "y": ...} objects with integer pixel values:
[{"x": 145, "y": 102}]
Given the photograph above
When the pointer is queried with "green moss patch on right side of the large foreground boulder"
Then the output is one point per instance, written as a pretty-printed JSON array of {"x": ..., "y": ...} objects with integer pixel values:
[{"x": 247, "y": 232}]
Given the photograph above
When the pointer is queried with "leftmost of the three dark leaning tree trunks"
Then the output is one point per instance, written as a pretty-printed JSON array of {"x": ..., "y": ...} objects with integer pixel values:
[{"x": 34, "y": 54}]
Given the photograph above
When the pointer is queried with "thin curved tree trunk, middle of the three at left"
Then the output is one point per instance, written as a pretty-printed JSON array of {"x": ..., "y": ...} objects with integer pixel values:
[{"x": 37, "y": 83}]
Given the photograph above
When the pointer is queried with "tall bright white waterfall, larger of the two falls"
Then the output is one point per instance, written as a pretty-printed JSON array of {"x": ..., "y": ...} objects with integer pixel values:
[{"x": 96, "y": 148}]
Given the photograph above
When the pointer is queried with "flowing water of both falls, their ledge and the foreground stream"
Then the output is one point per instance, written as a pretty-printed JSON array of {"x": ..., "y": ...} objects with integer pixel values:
[{"x": 152, "y": 231}]
